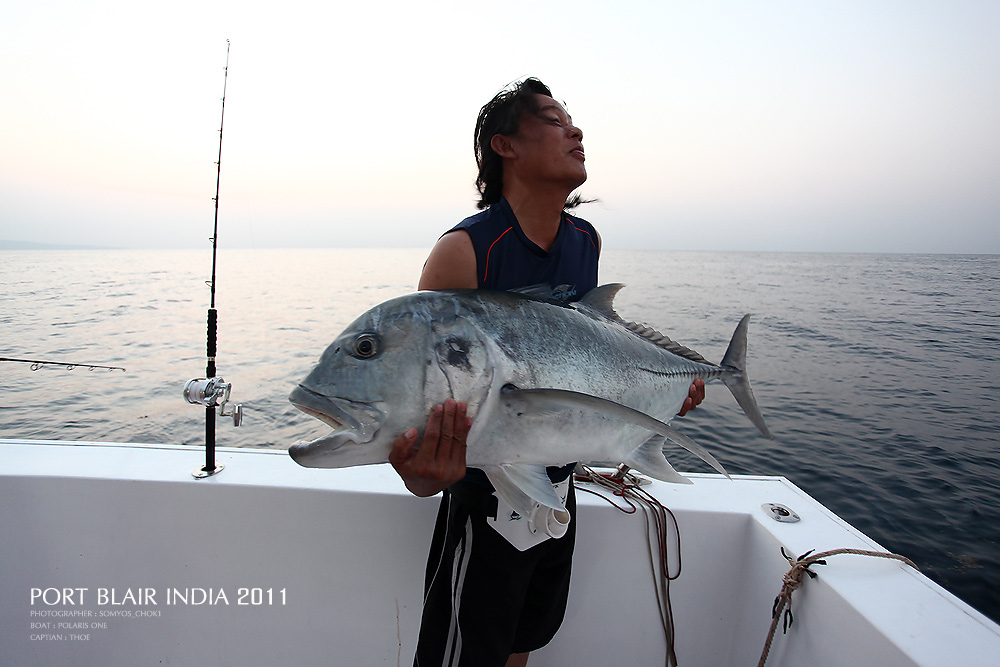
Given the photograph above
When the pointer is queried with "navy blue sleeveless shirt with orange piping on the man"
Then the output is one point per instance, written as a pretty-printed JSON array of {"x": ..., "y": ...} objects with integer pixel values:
[{"x": 506, "y": 259}]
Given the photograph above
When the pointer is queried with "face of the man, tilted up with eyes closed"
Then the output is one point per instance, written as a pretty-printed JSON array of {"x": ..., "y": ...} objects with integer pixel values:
[{"x": 548, "y": 147}]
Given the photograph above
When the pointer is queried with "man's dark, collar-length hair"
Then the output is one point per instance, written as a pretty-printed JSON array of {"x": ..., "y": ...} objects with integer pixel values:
[{"x": 501, "y": 115}]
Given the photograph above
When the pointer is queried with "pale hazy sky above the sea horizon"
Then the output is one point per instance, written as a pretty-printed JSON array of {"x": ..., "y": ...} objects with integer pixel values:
[{"x": 776, "y": 125}]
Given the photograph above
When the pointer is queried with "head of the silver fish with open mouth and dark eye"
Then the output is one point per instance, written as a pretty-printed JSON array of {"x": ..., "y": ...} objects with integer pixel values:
[{"x": 382, "y": 375}]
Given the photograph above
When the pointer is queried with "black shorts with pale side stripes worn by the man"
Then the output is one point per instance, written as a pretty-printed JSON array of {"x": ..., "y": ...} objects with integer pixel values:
[{"x": 484, "y": 599}]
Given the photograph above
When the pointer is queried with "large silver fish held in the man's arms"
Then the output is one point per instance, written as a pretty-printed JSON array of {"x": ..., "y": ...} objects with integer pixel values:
[{"x": 547, "y": 383}]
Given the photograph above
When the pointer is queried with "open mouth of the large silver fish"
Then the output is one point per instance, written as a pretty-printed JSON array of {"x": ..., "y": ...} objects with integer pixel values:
[{"x": 353, "y": 422}]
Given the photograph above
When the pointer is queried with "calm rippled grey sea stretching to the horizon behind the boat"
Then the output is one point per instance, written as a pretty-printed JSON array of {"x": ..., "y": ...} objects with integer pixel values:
[{"x": 878, "y": 374}]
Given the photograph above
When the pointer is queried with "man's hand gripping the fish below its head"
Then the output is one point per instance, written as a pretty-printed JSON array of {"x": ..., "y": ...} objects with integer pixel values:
[{"x": 439, "y": 460}]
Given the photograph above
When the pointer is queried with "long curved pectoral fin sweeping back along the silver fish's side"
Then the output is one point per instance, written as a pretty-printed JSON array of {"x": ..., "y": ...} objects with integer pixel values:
[{"x": 549, "y": 398}]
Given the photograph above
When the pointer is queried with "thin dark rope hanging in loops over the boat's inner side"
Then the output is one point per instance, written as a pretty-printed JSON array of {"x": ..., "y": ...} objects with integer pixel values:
[{"x": 658, "y": 526}]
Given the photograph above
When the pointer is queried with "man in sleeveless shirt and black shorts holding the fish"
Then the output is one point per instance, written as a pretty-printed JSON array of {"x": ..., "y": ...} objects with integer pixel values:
[{"x": 487, "y": 601}]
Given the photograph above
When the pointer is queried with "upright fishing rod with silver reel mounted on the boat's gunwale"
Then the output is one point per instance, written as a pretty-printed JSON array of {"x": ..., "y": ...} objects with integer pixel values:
[{"x": 212, "y": 391}]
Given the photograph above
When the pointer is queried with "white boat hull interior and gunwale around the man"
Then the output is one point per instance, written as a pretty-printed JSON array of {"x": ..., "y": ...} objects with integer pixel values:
[{"x": 270, "y": 563}]
